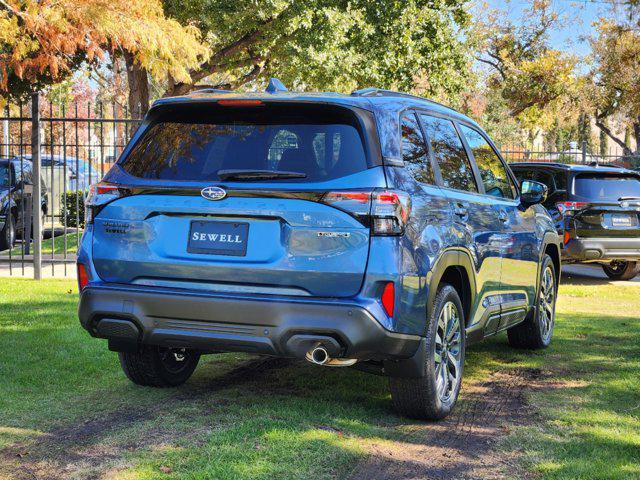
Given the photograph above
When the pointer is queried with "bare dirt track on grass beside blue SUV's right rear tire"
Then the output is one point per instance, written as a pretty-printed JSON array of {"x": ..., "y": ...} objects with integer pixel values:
[{"x": 463, "y": 445}]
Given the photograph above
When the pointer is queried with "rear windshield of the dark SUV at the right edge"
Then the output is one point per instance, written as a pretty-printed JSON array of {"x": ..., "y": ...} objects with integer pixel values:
[{"x": 608, "y": 188}]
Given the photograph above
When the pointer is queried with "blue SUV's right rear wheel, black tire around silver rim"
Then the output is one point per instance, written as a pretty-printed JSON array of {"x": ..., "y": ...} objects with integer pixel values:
[{"x": 426, "y": 398}]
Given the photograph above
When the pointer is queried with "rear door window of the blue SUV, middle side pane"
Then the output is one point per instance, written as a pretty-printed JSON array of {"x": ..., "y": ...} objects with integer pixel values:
[{"x": 449, "y": 153}]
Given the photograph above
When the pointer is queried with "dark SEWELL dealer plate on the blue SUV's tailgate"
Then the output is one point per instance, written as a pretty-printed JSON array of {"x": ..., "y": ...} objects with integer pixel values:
[{"x": 220, "y": 238}]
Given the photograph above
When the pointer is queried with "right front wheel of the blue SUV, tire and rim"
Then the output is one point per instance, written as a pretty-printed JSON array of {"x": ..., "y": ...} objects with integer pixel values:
[{"x": 536, "y": 330}]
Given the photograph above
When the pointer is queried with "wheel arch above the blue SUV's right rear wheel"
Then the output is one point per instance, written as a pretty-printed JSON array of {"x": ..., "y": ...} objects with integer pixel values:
[{"x": 454, "y": 267}]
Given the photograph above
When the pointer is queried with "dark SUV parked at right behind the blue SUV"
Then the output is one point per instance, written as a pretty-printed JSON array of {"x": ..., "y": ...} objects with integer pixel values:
[{"x": 596, "y": 210}]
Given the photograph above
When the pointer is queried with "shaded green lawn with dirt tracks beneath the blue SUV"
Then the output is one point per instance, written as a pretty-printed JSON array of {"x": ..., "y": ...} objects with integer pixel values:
[{"x": 68, "y": 411}]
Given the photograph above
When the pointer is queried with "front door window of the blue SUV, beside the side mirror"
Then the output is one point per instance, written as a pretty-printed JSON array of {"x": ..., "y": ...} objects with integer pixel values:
[{"x": 492, "y": 171}]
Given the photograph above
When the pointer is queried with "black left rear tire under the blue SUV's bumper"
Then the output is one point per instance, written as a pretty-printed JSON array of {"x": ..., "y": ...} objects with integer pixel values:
[{"x": 159, "y": 366}]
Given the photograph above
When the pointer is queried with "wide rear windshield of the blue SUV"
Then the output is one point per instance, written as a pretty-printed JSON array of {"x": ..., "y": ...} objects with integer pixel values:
[{"x": 184, "y": 149}]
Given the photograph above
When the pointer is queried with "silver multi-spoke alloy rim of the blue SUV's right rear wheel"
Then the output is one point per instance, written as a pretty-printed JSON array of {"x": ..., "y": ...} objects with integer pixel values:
[{"x": 448, "y": 352}]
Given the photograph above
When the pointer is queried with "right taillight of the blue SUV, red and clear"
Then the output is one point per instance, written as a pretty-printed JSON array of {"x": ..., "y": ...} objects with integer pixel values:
[{"x": 386, "y": 212}]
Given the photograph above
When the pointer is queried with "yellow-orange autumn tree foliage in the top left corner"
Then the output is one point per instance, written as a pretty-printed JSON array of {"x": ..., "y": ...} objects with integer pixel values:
[{"x": 43, "y": 41}]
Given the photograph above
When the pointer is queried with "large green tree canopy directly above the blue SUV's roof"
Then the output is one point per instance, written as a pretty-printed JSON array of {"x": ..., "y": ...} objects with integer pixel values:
[{"x": 329, "y": 44}]
